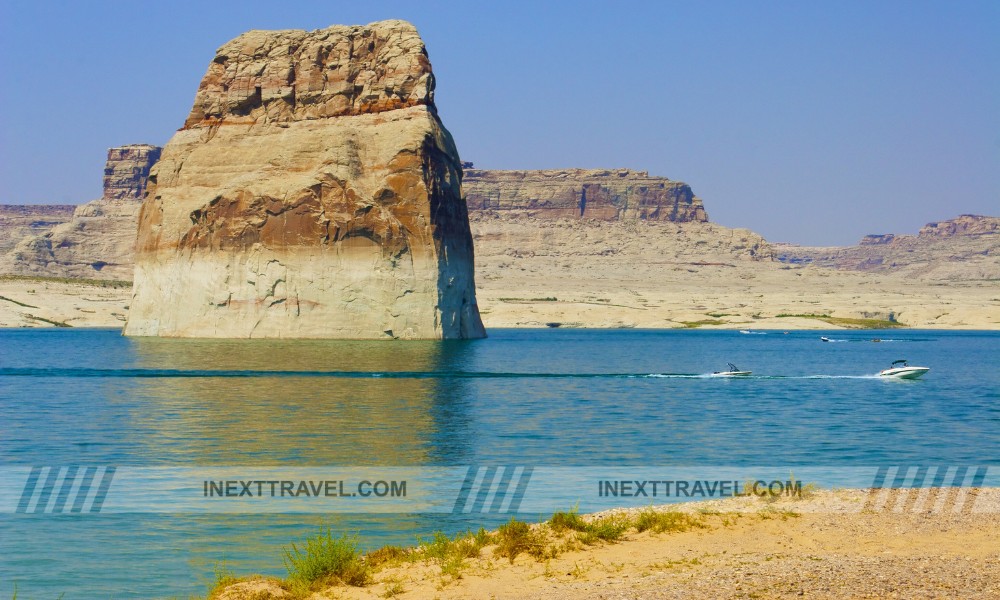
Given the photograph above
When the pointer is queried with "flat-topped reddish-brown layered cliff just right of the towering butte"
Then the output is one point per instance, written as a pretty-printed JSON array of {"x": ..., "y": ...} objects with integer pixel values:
[{"x": 606, "y": 195}]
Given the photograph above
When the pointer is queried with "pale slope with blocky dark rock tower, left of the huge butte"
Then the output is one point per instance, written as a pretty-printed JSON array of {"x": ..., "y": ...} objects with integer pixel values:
[{"x": 99, "y": 240}]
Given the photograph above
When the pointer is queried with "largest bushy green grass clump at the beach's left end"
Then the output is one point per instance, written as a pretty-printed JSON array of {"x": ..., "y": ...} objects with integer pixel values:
[{"x": 325, "y": 558}]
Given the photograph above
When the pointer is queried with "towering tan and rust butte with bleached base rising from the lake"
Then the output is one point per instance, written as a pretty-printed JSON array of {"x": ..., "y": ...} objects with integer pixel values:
[{"x": 313, "y": 192}]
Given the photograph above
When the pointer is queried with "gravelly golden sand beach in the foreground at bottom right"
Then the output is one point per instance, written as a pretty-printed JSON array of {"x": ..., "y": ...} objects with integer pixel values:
[{"x": 833, "y": 544}]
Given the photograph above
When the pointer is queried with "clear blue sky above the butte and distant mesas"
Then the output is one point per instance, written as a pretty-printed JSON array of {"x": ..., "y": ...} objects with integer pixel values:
[{"x": 808, "y": 122}]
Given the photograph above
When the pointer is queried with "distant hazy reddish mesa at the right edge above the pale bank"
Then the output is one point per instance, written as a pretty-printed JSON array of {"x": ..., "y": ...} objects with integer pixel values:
[{"x": 964, "y": 248}]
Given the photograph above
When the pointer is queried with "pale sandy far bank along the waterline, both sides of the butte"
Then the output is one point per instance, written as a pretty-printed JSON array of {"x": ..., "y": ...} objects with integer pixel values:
[{"x": 704, "y": 299}]
